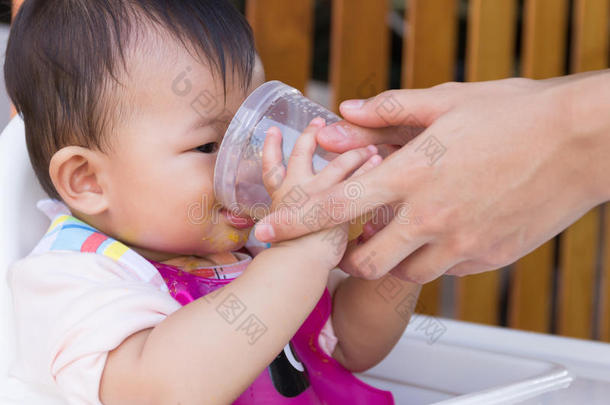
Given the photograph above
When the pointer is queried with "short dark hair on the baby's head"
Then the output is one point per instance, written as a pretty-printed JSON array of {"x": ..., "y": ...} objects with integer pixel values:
[{"x": 62, "y": 63}]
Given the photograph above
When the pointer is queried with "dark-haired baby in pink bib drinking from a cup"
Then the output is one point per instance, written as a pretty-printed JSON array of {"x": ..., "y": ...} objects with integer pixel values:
[{"x": 125, "y": 105}]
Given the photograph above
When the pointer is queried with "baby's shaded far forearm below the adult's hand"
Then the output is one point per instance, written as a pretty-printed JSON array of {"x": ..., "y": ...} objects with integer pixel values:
[{"x": 369, "y": 317}]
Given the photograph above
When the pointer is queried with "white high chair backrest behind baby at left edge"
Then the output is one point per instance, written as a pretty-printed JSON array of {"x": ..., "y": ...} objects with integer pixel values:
[{"x": 21, "y": 226}]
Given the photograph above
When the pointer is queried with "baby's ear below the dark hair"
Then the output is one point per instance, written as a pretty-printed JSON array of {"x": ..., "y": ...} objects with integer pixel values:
[{"x": 76, "y": 173}]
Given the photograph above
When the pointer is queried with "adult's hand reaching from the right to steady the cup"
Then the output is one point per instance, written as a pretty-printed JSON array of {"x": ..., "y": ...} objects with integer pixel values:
[{"x": 500, "y": 168}]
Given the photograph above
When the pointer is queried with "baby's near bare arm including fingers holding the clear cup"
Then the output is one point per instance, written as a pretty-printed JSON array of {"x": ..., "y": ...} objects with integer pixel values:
[{"x": 203, "y": 352}]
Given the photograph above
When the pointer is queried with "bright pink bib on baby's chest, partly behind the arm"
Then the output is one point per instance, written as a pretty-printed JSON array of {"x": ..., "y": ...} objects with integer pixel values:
[{"x": 322, "y": 381}]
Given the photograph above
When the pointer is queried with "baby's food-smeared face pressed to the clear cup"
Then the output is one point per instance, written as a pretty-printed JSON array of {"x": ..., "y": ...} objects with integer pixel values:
[{"x": 161, "y": 168}]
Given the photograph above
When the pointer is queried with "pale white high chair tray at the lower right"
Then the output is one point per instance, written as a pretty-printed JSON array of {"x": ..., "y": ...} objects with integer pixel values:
[{"x": 475, "y": 364}]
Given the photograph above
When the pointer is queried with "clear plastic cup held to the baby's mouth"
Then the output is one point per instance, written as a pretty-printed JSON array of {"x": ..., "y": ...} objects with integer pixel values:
[{"x": 238, "y": 181}]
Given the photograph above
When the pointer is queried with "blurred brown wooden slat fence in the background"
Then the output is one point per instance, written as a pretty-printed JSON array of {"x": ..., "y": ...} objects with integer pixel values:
[{"x": 334, "y": 50}]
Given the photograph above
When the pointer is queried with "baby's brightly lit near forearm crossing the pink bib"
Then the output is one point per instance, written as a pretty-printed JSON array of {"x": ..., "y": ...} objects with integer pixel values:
[{"x": 212, "y": 349}]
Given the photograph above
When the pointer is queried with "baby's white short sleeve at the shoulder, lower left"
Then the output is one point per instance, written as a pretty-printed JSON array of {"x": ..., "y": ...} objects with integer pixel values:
[{"x": 71, "y": 309}]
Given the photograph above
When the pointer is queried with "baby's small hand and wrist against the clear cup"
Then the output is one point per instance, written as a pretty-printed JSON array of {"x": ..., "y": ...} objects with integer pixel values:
[{"x": 290, "y": 187}]
